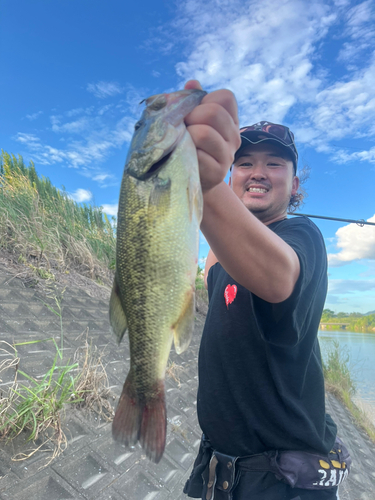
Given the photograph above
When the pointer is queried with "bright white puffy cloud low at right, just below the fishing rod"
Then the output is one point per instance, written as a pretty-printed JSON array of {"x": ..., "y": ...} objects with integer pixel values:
[{"x": 355, "y": 243}]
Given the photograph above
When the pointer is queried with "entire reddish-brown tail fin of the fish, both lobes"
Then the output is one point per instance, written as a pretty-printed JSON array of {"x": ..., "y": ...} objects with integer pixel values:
[{"x": 144, "y": 421}]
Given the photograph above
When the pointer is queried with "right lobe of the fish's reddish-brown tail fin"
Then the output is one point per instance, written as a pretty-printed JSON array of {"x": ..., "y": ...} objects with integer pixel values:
[{"x": 153, "y": 430}]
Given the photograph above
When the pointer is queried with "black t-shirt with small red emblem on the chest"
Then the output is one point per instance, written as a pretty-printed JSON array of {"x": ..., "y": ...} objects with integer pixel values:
[{"x": 261, "y": 383}]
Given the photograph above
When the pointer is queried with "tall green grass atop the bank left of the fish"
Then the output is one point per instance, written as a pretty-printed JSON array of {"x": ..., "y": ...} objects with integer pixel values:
[{"x": 42, "y": 226}]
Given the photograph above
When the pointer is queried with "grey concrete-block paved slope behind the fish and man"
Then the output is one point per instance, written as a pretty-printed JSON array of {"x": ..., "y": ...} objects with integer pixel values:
[{"x": 93, "y": 466}]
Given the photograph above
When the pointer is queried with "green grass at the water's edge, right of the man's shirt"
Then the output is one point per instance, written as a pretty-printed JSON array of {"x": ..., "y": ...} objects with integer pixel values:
[{"x": 339, "y": 381}]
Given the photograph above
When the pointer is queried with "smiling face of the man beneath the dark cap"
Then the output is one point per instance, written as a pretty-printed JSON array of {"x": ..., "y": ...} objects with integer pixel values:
[{"x": 263, "y": 178}]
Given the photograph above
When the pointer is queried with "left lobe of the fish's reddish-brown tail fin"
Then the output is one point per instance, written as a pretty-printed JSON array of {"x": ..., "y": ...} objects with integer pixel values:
[{"x": 127, "y": 422}]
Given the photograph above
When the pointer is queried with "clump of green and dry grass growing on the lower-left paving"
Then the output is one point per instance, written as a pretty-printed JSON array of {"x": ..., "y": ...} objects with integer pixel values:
[{"x": 36, "y": 407}]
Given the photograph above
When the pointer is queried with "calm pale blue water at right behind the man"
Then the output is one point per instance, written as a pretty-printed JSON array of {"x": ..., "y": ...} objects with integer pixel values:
[{"x": 361, "y": 350}]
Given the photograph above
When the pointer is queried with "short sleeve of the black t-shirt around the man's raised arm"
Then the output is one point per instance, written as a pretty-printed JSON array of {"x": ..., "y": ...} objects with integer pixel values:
[{"x": 287, "y": 322}]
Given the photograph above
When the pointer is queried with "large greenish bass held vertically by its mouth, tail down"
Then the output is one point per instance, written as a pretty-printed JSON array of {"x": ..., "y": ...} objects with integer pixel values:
[{"x": 153, "y": 295}]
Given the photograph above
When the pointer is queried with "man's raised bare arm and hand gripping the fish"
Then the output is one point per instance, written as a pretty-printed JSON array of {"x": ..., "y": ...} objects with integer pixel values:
[{"x": 247, "y": 249}]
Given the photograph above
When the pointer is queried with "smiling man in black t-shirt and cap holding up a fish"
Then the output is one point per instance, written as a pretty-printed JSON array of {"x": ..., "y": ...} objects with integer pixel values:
[{"x": 261, "y": 387}]
